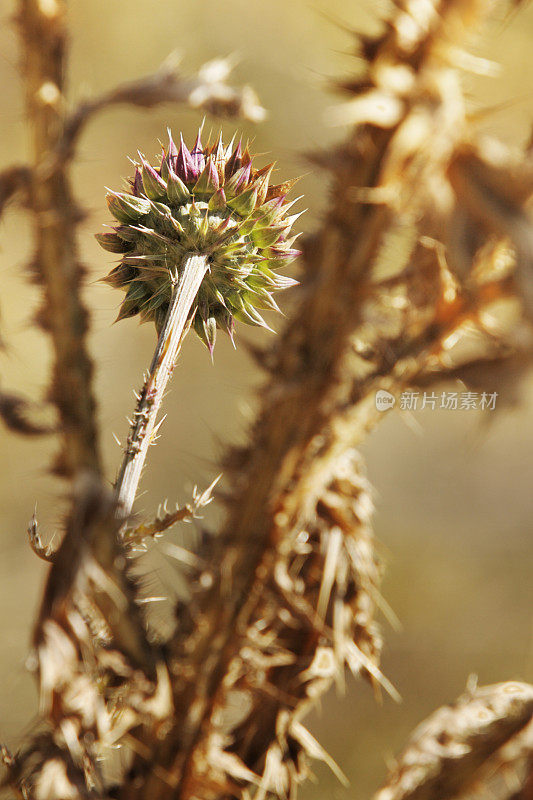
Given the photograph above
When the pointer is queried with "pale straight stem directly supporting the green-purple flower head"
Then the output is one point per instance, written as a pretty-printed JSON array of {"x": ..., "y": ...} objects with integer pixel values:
[{"x": 175, "y": 328}]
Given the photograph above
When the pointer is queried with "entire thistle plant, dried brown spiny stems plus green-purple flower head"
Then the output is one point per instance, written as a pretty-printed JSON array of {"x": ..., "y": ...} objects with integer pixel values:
[{"x": 426, "y": 236}]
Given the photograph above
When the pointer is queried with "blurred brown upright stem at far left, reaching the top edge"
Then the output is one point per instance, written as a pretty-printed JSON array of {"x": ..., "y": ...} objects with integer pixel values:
[{"x": 56, "y": 216}]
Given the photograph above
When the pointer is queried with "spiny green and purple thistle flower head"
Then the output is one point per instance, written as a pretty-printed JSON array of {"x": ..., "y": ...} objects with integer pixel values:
[{"x": 209, "y": 201}]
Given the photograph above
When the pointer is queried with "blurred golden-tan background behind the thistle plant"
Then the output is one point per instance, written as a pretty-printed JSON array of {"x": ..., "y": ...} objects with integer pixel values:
[{"x": 452, "y": 488}]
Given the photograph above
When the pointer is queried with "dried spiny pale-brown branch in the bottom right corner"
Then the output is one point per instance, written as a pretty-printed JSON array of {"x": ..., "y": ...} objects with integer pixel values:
[{"x": 457, "y": 751}]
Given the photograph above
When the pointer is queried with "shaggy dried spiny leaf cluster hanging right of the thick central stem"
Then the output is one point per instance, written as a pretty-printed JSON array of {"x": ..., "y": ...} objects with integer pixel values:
[{"x": 323, "y": 591}]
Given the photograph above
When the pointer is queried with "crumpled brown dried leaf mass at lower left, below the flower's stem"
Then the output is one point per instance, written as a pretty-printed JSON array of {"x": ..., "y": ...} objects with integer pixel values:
[{"x": 98, "y": 675}]
